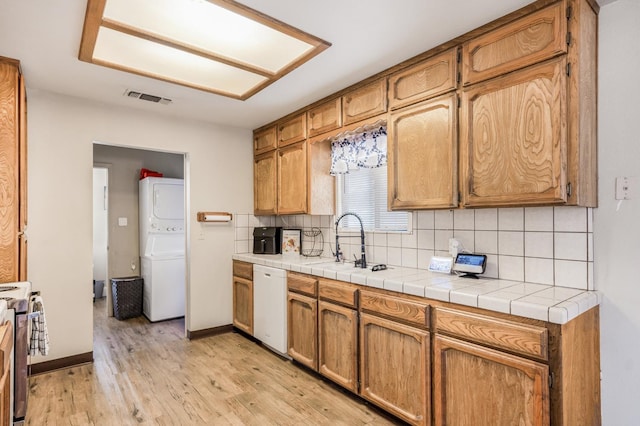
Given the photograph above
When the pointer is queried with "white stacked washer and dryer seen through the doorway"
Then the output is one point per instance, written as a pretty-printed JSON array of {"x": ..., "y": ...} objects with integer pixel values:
[{"x": 162, "y": 247}]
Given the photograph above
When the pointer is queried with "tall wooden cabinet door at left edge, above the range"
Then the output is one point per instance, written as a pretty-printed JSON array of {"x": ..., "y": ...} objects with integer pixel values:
[{"x": 9, "y": 171}]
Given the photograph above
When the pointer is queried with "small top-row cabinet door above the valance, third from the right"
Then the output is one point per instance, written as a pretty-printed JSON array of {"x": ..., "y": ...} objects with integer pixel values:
[{"x": 364, "y": 102}]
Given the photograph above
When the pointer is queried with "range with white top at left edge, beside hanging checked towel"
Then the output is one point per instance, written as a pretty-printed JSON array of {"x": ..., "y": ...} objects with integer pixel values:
[{"x": 17, "y": 296}]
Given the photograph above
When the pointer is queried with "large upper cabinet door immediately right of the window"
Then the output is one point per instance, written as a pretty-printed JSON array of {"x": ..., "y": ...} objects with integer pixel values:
[{"x": 422, "y": 164}]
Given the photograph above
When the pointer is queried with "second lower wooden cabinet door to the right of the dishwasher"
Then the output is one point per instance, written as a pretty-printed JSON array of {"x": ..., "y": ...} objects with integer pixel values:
[{"x": 338, "y": 343}]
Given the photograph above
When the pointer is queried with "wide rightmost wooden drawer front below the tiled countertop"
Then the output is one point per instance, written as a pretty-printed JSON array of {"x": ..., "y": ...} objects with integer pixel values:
[{"x": 523, "y": 339}]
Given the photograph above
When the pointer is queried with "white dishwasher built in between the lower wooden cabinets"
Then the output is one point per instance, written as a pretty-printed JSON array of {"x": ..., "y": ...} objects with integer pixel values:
[{"x": 270, "y": 307}]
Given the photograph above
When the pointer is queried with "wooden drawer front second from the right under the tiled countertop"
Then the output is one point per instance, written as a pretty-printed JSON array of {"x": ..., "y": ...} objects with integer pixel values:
[{"x": 408, "y": 311}]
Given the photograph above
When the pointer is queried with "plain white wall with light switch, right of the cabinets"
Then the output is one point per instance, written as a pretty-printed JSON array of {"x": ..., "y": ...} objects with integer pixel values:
[{"x": 617, "y": 231}]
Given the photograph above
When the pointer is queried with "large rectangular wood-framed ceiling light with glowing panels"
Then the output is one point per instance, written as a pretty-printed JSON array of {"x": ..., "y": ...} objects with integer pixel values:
[{"x": 218, "y": 46}]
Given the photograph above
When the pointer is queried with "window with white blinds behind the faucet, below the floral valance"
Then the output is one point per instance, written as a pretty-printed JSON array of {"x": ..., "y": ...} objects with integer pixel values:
[{"x": 364, "y": 192}]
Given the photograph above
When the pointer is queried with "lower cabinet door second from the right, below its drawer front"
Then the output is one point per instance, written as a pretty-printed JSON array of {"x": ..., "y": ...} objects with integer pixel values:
[{"x": 394, "y": 368}]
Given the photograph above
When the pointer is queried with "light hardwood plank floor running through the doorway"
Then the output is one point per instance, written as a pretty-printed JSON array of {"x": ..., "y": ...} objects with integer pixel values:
[{"x": 149, "y": 374}]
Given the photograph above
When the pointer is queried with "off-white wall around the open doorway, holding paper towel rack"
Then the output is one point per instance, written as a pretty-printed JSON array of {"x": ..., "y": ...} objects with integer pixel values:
[{"x": 61, "y": 134}]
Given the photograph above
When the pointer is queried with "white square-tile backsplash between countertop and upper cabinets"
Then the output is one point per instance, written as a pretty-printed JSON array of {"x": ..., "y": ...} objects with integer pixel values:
[{"x": 544, "y": 245}]
